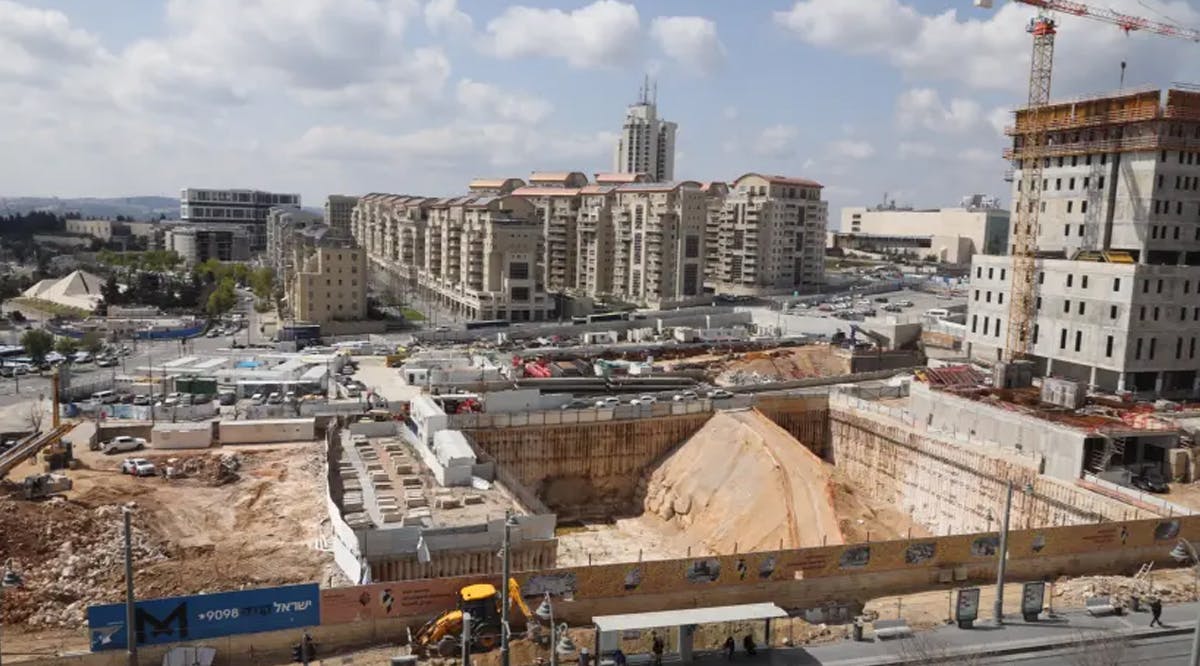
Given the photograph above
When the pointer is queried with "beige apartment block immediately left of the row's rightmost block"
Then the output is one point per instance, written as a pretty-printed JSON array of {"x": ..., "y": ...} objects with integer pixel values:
[{"x": 659, "y": 239}]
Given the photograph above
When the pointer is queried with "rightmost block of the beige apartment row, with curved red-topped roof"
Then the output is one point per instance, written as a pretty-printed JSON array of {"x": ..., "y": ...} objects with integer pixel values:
[{"x": 771, "y": 237}]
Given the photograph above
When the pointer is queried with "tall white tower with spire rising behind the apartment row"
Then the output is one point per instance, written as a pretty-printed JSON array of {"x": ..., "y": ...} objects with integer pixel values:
[{"x": 647, "y": 142}]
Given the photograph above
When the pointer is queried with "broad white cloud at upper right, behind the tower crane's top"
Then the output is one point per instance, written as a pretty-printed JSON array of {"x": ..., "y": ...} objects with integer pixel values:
[{"x": 991, "y": 50}]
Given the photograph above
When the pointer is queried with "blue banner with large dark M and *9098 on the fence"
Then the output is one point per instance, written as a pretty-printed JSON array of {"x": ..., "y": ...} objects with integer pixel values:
[{"x": 206, "y": 616}]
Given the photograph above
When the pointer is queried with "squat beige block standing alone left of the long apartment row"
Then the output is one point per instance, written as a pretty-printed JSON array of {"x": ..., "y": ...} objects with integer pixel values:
[{"x": 331, "y": 285}]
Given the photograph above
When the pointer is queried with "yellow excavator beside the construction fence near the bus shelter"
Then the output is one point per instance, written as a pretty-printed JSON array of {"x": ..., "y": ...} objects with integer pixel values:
[{"x": 483, "y": 602}]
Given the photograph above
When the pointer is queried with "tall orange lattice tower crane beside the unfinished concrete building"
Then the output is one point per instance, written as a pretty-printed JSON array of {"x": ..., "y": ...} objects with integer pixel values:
[{"x": 1043, "y": 28}]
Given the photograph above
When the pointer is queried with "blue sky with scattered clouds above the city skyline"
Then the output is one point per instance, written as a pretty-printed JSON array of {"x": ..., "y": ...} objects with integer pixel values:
[{"x": 905, "y": 99}]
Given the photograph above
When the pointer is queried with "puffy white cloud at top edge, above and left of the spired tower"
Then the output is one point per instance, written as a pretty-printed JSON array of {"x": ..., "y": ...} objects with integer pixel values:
[{"x": 603, "y": 34}]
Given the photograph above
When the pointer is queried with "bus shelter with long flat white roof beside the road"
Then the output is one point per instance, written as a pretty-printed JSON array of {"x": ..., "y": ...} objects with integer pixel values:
[{"x": 683, "y": 622}]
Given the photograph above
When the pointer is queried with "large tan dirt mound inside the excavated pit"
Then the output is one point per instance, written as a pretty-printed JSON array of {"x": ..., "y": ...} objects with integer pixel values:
[{"x": 742, "y": 483}]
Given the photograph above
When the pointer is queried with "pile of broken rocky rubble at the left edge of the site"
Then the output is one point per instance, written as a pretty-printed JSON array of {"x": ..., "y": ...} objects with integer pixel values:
[{"x": 75, "y": 560}]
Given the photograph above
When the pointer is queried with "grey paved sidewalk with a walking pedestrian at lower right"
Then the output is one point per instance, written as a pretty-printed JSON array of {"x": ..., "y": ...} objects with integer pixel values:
[{"x": 1015, "y": 637}]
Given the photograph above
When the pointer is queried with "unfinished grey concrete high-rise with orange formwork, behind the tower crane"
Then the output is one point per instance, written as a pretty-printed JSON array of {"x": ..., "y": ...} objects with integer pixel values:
[{"x": 1118, "y": 280}]
